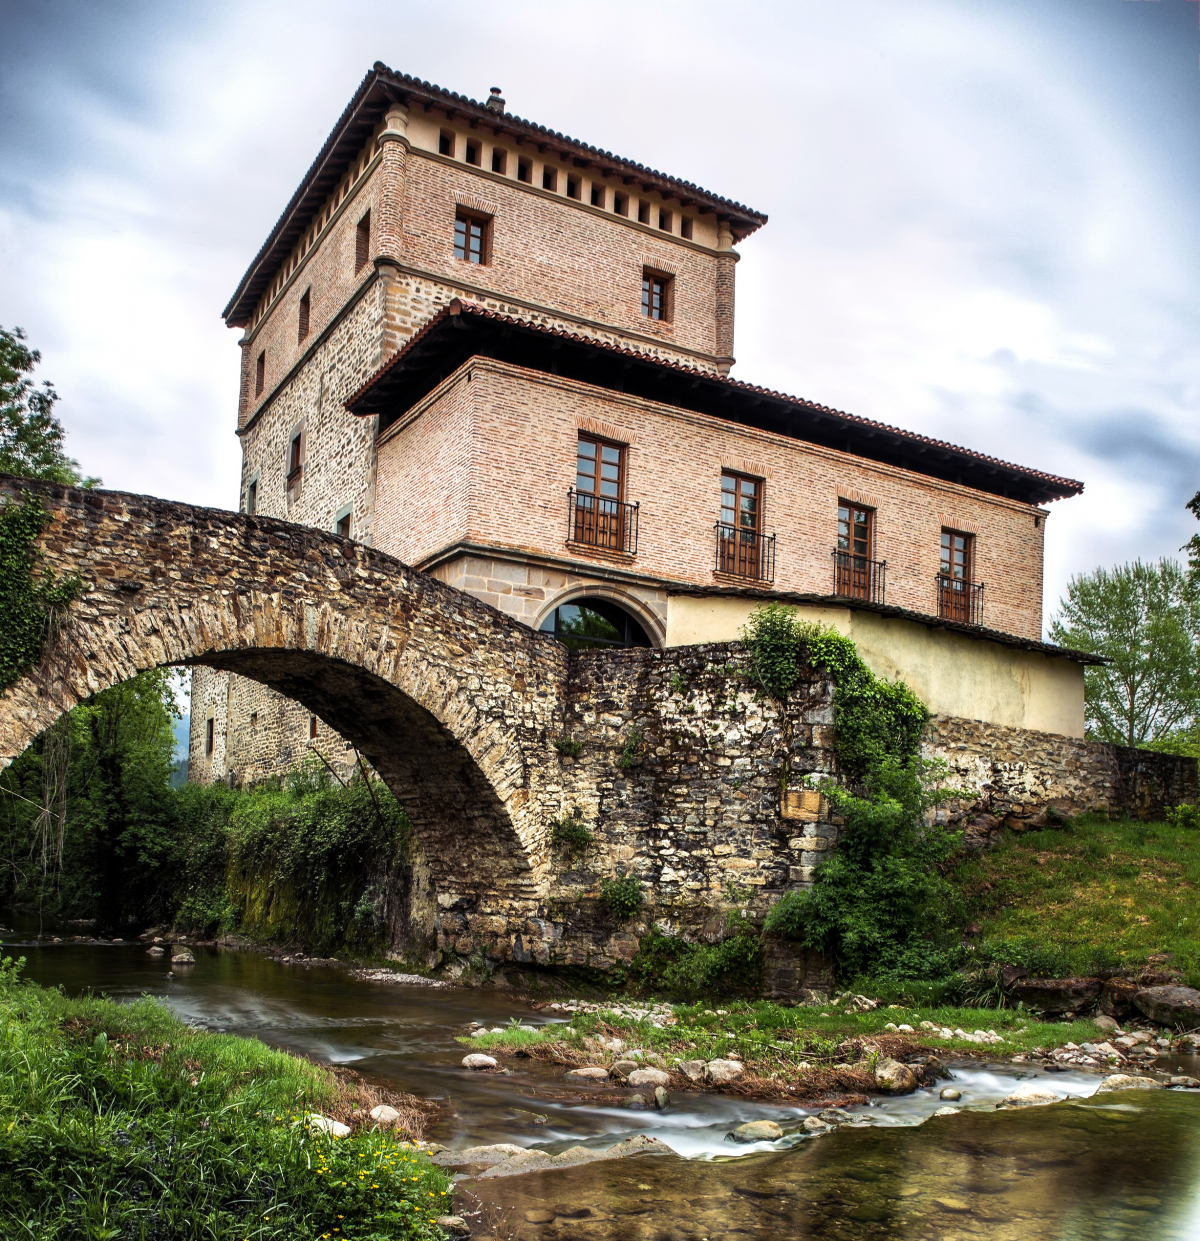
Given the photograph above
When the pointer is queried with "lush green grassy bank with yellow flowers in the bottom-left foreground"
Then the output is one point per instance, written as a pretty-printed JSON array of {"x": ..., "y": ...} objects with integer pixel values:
[{"x": 117, "y": 1121}]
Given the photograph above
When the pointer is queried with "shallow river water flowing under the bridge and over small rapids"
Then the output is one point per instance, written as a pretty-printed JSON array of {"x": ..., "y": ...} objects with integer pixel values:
[{"x": 1104, "y": 1167}]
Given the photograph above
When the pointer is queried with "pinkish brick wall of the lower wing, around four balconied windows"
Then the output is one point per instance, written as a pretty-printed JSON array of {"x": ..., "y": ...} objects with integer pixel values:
[{"x": 526, "y": 428}]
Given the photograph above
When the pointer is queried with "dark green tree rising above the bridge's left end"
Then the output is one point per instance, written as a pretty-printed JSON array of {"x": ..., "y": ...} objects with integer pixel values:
[{"x": 32, "y": 439}]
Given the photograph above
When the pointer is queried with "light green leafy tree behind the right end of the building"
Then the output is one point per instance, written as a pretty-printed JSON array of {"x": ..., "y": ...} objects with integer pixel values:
[{"x": 1146, "y": 621}]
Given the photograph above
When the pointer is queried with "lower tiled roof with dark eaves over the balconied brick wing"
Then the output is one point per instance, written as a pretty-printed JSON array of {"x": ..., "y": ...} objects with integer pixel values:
[{"x": 374, "y": 396}]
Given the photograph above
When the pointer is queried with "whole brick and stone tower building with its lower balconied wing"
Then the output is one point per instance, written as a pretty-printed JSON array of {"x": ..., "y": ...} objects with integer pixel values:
[{"x": 503, "y": 357}]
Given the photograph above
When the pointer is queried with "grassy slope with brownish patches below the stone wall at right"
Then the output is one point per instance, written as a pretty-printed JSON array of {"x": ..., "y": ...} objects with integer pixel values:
[{"x": 1116, "y": 894}]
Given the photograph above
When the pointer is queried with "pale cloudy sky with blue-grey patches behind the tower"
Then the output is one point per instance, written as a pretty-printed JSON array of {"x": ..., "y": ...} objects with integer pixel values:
[{"x": 985, "y": 214}]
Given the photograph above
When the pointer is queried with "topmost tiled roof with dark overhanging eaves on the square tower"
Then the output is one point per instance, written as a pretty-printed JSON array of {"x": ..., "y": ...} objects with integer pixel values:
[{"x": 383, "y": 87}]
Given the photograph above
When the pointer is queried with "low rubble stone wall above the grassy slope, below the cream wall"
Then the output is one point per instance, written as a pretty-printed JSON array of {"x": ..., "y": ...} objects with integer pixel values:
[{"x": 1023, "y": 780}]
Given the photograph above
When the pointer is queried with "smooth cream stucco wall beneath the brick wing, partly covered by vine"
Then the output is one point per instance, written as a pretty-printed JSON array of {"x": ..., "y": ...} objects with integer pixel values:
[{"x": 952, "y": 673}]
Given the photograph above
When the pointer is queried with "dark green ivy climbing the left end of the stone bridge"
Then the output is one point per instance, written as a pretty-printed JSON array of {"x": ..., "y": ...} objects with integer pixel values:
[{"x": 29, "y": 609}]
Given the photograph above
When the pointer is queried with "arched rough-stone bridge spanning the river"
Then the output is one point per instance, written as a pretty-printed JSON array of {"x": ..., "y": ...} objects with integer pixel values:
[{"x": 455, "y": 704}]
